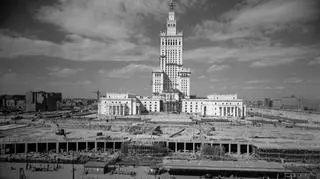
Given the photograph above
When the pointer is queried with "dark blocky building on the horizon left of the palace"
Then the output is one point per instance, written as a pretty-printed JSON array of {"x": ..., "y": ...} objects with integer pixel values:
[{"x": 42, "y": 101}]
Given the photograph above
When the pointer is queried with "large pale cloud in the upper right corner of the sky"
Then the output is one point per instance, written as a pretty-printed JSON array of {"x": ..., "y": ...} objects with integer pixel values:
[{"x": 257, "y": 19}]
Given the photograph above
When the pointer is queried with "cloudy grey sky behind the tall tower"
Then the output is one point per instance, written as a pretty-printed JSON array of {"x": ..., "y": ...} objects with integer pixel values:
[{"x": 255, "y": 48}]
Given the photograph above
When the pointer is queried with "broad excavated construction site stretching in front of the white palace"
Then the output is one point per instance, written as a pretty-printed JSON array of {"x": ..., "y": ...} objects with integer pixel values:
[{"x": 290, "y": 141}]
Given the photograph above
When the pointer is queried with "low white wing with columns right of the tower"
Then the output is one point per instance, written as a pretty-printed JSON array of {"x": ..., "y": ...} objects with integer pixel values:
[{"x": 215, "y": 105}]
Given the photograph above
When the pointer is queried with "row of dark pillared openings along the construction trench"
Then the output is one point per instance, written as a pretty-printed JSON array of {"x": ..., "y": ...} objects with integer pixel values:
[{"x": 235, "y": 148}]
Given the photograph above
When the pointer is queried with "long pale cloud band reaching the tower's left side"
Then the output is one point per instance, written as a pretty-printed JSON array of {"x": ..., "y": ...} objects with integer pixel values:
[{"x": 75, "y": 48}]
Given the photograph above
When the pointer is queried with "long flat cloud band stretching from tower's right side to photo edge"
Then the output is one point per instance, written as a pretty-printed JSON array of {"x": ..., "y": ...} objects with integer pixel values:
[{"x": 261, "y": 56}]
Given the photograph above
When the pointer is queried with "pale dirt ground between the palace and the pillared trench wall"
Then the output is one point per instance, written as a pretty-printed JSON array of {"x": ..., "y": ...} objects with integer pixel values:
[{"x": 44, "y": 130}]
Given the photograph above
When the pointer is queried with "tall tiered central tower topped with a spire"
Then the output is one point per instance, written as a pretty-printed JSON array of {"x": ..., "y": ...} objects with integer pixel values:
[{"x": 171, "y": 76}]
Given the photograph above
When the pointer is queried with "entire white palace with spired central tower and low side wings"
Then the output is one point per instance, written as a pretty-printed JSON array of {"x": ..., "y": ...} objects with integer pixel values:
[{"x": 171, "y": 85}]
